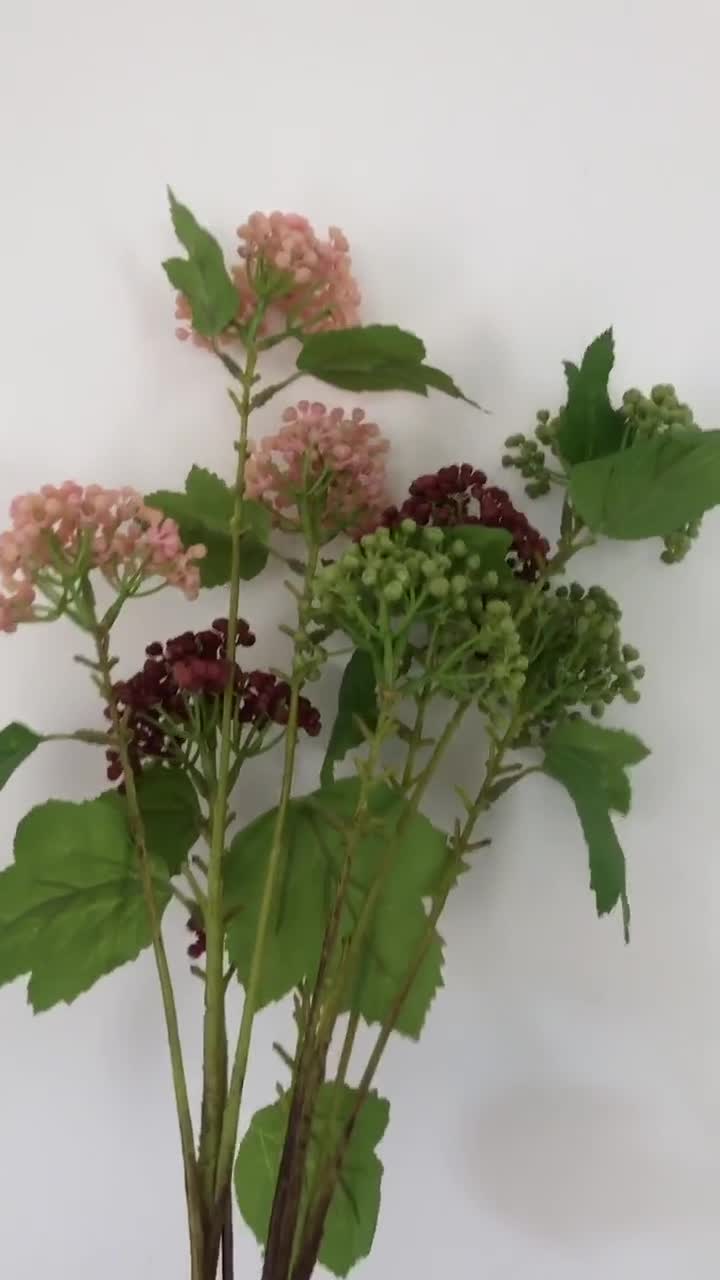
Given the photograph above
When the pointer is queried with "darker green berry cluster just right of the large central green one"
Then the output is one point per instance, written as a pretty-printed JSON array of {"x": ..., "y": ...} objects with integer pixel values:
[{"x": 577, "y": 657}]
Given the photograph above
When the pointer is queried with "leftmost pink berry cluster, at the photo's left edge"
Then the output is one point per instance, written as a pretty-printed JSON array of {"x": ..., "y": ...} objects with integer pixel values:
[{"x": 72, "y": 529}]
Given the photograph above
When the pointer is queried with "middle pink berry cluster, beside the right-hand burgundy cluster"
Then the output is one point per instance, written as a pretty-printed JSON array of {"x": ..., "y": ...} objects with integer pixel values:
[{"x": 344, "y": 456}]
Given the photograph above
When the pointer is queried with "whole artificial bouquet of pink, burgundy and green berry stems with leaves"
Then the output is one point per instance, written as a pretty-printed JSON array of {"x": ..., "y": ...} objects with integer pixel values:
[{"x": 445, "y": 607}]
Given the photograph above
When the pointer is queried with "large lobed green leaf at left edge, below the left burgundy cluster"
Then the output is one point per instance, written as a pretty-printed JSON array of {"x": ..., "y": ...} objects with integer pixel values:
[{"x": 71, "y": 906}]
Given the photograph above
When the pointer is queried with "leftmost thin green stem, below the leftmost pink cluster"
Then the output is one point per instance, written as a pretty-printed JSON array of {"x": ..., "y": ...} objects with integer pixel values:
[{"x": 170, "y": 1008}]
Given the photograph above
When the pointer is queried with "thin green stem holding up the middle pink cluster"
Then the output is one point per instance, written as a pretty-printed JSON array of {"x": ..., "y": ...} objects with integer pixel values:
[{"x": 229, "y": 1133}]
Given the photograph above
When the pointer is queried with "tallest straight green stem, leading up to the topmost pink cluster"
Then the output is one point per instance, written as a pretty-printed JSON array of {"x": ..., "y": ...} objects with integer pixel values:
[{"x": 215, "y": 1063}]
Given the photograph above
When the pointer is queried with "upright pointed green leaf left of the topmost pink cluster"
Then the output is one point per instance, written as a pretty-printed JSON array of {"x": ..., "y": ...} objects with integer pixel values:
[{"x": 203, "y": 277}]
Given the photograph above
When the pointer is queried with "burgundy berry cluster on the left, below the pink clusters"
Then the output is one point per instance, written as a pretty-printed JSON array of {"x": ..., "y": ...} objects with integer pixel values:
[{"x": 195, "y": 665}]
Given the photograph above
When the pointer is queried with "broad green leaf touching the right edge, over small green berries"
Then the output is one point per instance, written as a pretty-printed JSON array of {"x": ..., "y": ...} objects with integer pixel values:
[{"x": 651, "y": 490}]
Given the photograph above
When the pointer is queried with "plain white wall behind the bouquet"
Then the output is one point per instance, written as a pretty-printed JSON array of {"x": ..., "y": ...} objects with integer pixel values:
[{"x": 514, "y": 176}]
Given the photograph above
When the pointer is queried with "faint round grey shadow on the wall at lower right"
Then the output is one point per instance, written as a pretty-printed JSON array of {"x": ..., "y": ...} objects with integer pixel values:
[{"x": 575, "y": 1165}]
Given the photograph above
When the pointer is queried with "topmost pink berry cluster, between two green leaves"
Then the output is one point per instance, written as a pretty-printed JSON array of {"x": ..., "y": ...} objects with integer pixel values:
[{"x": 326, "y": 294}]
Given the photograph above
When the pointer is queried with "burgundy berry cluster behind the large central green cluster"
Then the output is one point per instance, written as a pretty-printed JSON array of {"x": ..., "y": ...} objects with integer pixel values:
[{"x": 462, "y": 496}]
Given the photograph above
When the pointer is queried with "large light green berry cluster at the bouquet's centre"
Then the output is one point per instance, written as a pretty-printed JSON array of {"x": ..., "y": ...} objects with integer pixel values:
[{"x": 431, "y": 611}]
